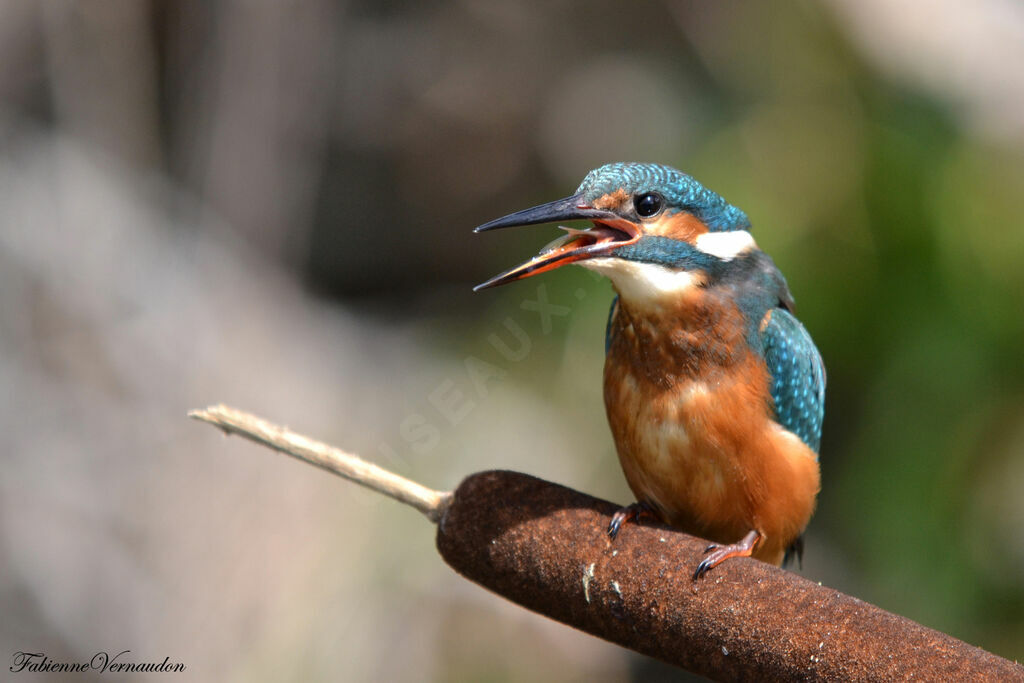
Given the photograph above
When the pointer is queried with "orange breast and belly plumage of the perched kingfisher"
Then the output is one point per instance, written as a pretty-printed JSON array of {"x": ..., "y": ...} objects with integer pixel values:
[{"x": 691, "y": 412}]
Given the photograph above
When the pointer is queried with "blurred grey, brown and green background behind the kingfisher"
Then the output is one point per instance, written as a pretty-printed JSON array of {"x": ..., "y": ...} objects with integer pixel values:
[{"x": 270, "y": 205}]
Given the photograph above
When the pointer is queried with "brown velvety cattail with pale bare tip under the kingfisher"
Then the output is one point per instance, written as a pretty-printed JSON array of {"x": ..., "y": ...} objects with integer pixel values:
[{"x": 544, "y": 547}]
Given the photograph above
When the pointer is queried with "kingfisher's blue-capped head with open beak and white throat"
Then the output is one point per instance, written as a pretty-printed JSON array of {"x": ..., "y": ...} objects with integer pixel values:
[{"x": 656, "y": 231}]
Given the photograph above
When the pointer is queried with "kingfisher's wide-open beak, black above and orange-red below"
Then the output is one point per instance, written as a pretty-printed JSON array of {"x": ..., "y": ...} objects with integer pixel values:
[{"x": 609, "y": 233}]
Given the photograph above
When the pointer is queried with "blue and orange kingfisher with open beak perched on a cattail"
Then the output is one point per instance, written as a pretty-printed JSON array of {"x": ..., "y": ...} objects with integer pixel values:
[{"x": 713, "y": 390}]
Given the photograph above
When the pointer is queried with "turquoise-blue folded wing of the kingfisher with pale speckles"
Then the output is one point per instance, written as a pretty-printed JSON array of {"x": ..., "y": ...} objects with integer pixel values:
[{"x": 798, "y": 376}]
